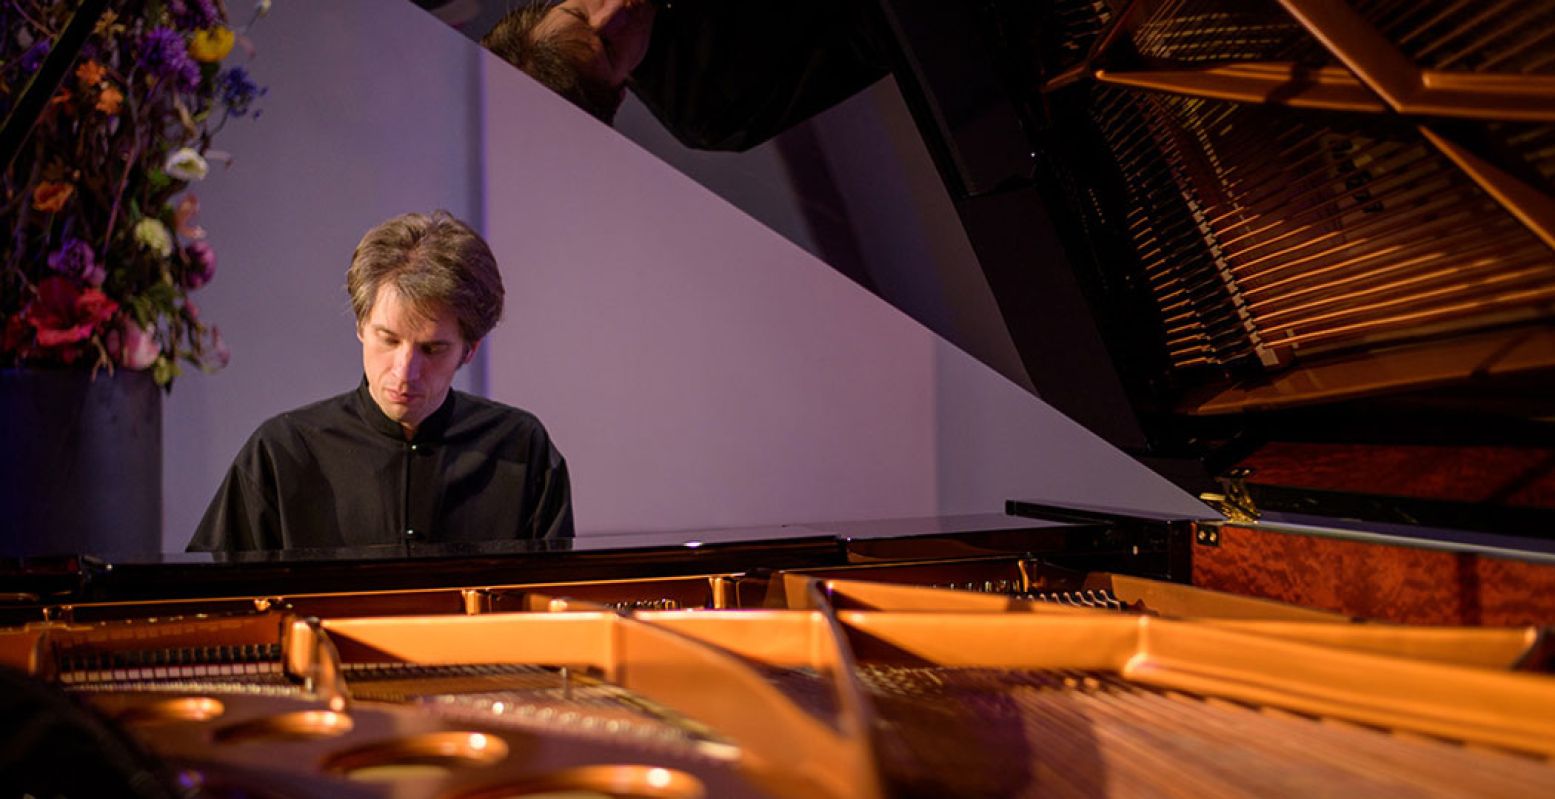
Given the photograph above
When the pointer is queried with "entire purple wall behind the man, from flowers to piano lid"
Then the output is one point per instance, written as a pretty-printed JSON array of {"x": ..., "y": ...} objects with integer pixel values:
[{"x": 697, "y": 369}]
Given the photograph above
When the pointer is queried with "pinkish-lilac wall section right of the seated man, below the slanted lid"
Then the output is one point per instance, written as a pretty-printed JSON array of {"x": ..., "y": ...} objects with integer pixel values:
[{"x": 701, "y": 371}]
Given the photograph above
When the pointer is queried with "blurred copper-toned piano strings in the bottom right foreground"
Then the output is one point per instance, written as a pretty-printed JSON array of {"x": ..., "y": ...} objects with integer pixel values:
[{"x": 1095, "y": 734}]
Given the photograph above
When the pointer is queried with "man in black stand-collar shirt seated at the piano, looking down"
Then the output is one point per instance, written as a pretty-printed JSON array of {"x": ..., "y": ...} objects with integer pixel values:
[{"x": 404, "y": 458}]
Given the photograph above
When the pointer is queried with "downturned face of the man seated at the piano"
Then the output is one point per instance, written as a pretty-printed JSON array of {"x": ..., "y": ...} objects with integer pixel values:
[{"x": 410, "y": 360}]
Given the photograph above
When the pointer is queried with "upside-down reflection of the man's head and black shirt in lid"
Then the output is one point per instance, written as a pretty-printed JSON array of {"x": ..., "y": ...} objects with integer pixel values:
[{"x": 719, "y": 74}]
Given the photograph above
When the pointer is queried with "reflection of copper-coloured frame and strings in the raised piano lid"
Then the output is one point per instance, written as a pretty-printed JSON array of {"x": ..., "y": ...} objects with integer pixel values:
[{"x": 1312, "y": 201}]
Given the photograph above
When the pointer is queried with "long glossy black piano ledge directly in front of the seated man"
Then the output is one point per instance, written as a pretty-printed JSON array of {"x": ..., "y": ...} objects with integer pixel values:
[{"x": 604, "y": 557}]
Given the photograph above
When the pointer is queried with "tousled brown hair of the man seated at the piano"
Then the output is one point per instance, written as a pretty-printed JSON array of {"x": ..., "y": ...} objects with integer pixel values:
[{"x": 438, "y": 263}]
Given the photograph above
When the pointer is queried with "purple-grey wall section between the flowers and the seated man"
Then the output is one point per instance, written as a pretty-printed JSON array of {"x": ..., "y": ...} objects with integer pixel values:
[{"x": 348, "y": 139}]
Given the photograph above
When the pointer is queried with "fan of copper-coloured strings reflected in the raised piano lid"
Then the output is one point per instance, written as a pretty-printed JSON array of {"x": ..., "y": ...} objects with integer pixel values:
[{"x": 1351, "y": 232}]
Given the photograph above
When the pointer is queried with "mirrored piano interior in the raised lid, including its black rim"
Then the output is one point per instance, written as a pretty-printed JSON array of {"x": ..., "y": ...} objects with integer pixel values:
[{"x": 1305, "y": 248}]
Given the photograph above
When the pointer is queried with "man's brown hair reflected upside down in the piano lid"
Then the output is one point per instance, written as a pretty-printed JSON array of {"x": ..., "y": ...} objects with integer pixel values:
[{"x": 553, "y": 60}]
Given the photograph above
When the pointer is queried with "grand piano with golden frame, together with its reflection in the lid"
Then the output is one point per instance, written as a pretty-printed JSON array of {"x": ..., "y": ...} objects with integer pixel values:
[{"x": 1299, "y": 257}]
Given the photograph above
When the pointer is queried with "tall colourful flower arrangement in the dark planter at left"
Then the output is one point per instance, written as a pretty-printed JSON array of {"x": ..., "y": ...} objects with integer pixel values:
[{"x": 103, "y": 249}]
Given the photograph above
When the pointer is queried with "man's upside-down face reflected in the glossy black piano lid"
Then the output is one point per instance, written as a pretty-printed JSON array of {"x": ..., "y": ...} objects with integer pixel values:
[{"x": 615, "y": 32}]
